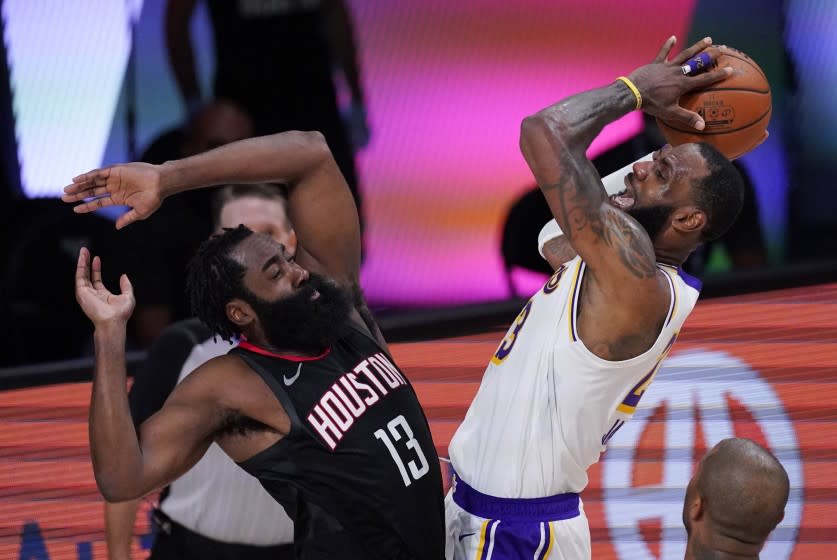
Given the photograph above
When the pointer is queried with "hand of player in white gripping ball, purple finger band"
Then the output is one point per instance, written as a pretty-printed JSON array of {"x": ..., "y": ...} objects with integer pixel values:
[{"x": 661, "y": 83}]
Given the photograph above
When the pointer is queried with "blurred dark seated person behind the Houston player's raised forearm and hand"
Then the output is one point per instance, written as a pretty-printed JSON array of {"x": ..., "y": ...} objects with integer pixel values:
[{"x": 159, "y": 248}]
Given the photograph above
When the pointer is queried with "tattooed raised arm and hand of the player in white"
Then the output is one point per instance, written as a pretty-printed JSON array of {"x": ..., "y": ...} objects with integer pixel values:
[{"x": 554, "y": 142}]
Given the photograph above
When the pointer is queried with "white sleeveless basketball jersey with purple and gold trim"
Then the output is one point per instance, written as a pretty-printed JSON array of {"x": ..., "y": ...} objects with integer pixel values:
[{"x": 547, "y": 406}]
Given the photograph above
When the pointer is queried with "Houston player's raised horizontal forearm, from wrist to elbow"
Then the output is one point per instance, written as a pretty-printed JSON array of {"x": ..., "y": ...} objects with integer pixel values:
[{"x": 287, "y": 157}]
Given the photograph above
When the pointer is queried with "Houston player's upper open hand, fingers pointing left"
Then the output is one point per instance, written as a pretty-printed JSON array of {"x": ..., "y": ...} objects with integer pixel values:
[{"x": 132, "y": 184}]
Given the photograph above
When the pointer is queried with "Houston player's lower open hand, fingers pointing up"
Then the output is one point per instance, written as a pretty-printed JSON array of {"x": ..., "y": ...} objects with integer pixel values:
[{"x": 95, "y": 300}]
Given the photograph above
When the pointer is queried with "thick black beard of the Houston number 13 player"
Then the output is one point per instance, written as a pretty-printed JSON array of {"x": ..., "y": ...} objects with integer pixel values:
[{"x": 303, "y": 324}]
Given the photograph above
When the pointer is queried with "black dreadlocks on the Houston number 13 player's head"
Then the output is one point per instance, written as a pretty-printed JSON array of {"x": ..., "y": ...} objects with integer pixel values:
[{"x": 213, "y": 278}]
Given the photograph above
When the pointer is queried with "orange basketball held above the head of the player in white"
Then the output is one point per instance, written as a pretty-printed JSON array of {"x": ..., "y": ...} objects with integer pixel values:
[{"x": 736, "y": 110}]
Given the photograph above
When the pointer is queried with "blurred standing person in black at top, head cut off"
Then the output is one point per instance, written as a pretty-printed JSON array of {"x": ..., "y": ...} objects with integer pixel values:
[{"x": 275, "y": 59}]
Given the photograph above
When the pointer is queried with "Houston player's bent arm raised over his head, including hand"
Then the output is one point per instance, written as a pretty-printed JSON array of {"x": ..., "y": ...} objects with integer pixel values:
[{"x": 320, "y": 204}]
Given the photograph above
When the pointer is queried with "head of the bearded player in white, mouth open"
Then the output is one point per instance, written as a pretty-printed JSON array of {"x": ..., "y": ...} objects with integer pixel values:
[{"x": 687, "y": 195}]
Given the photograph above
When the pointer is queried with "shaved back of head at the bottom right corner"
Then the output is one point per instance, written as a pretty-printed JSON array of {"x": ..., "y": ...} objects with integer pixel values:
[{"x": 733, "y": 502}]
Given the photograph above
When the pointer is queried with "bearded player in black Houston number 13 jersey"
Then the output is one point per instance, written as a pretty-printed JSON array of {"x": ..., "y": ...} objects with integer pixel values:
[{"x": 310, "y": 402}]
